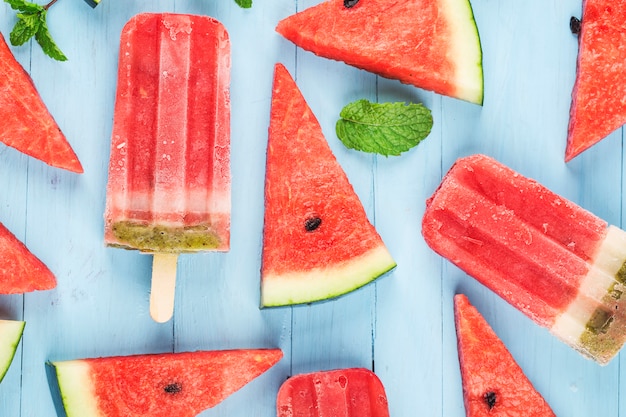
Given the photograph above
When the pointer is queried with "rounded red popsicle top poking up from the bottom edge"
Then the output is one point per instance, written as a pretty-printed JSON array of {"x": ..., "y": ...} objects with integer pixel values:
[{"x": 352, "y": 392}]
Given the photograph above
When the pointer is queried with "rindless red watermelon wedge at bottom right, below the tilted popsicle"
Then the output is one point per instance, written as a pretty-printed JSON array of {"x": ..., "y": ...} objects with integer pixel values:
[{"x": 493, "y": 383}]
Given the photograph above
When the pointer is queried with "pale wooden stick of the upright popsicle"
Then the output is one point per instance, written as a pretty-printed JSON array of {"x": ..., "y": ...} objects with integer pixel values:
[{"x": 163, "y": 286}]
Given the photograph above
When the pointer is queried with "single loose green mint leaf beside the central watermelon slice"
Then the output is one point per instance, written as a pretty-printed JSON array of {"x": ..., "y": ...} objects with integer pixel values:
[{"x": 383, "y": 128}]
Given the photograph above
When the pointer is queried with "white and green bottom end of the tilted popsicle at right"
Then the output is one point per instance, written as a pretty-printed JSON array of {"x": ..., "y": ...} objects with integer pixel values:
[{"x": 599, "y": 289}]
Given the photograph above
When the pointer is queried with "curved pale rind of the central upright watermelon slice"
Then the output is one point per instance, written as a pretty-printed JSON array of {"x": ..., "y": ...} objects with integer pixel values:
[{"x": 320, "y": 284}]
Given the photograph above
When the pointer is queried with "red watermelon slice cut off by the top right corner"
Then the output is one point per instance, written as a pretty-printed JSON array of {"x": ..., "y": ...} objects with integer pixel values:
[{"x": 598, "y": 105}]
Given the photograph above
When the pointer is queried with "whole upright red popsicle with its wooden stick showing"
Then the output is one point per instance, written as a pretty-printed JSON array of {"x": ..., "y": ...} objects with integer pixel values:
[{"x": 169, "y": 180}]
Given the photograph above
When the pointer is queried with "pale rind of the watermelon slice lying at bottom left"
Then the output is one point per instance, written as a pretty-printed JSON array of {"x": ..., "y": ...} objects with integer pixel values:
[{"x": 76, "y": 388}]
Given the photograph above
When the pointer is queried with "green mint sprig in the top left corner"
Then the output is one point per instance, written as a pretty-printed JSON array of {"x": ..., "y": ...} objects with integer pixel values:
[{"x": 31, "y": 22}]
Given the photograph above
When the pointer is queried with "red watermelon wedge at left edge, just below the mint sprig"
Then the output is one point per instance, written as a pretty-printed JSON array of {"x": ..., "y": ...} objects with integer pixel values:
[{"x": 26, "y": 122}]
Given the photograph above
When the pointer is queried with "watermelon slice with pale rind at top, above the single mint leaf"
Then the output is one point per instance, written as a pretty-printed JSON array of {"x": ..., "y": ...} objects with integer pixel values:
[{"x": 432, "y": 44}]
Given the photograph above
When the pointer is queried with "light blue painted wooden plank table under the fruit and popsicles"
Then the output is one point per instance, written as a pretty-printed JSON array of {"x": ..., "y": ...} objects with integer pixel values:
[{"x": 402, "y": 325}]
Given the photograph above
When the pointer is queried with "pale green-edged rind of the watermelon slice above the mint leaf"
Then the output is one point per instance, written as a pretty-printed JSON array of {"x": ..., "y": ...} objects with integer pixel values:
[{"x": 467, "y": 52}]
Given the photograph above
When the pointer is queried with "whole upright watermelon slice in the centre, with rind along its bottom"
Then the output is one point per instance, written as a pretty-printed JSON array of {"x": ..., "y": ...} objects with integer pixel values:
[{"x": 317, "y": 240}]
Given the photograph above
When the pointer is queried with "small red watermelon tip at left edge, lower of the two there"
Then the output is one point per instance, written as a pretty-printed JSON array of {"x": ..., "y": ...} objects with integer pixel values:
[{"x": 20, "y": 270}]
